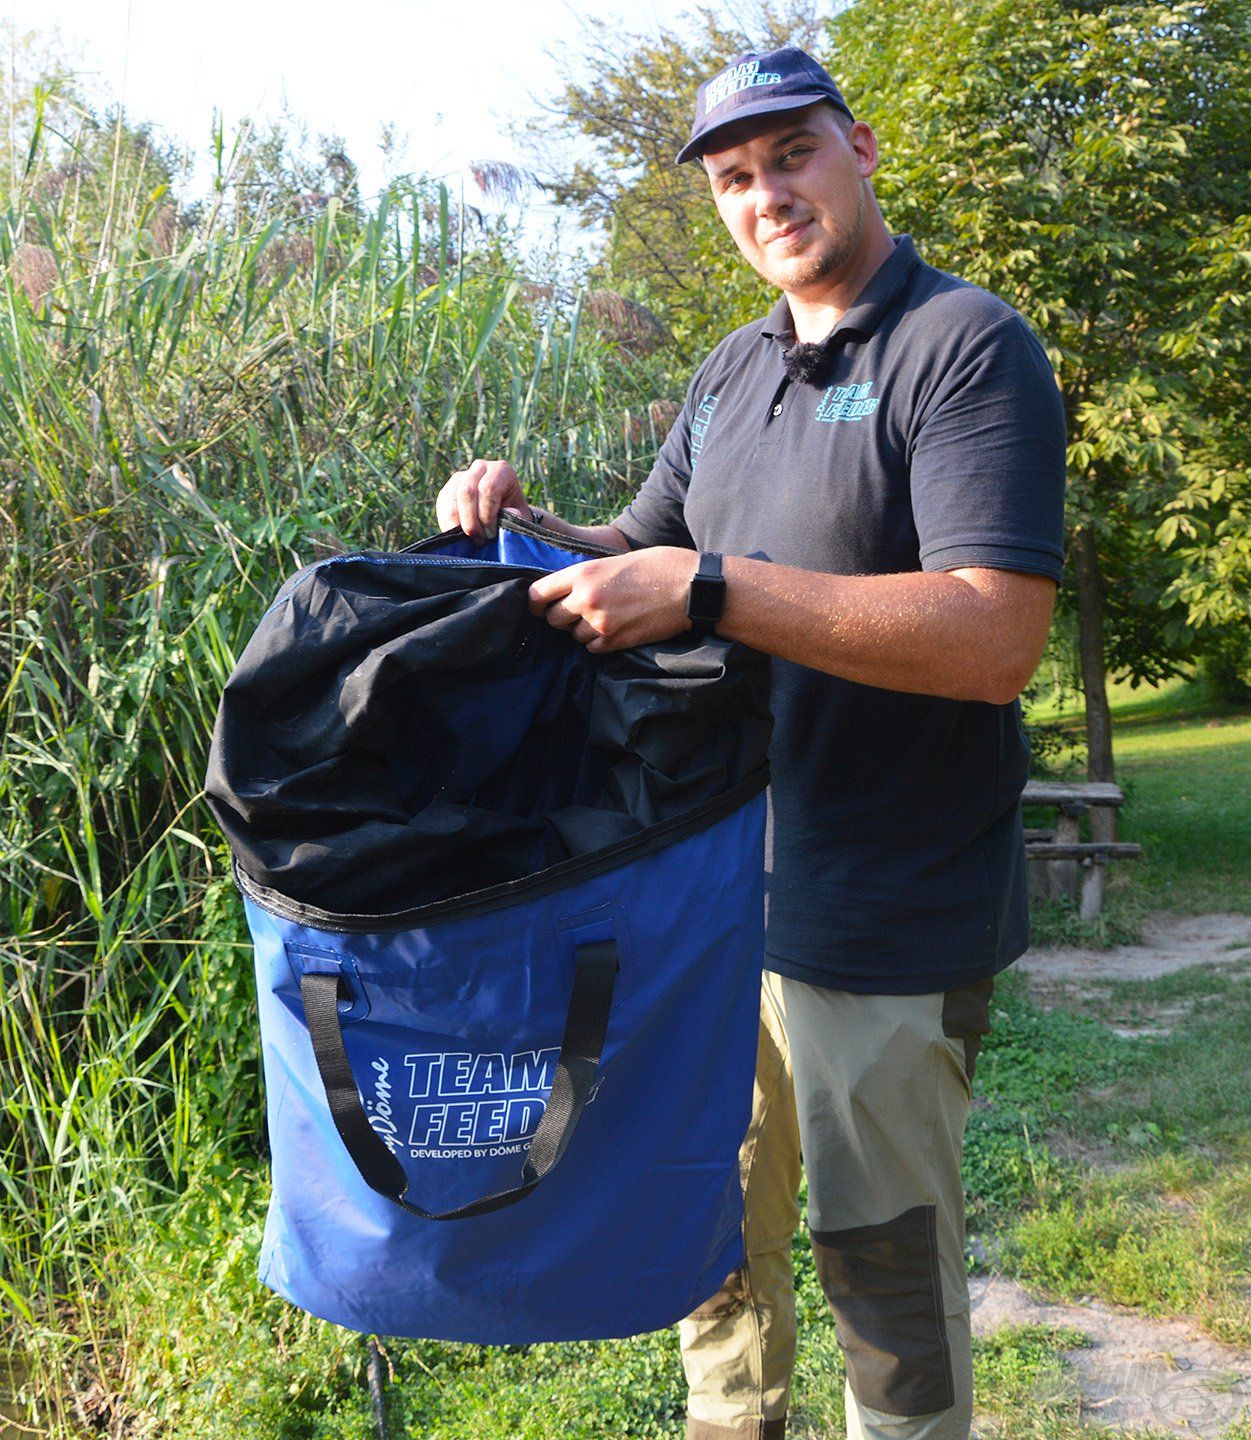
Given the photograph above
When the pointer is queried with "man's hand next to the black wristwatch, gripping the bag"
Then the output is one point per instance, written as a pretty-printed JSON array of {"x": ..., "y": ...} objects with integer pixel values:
[{"x": 620, "y": 601}]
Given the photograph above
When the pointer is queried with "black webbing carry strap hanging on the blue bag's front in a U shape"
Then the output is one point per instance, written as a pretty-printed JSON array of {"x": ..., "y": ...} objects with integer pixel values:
[{"x": 595, "y": 976}]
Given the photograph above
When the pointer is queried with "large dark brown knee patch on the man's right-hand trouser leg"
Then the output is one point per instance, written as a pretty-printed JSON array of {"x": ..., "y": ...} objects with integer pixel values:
[{"x": 888, "y": 1300}]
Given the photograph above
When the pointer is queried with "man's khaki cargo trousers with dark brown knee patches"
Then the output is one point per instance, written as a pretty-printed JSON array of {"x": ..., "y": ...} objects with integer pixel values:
[{"x": 873, "y": 1091}]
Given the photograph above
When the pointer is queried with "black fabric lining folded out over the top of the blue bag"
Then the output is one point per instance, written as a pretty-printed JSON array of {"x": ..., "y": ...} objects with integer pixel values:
[{"x": 402, "y": 741}]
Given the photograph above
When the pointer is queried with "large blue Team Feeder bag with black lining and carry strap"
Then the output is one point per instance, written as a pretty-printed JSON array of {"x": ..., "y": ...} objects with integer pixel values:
[{"x": 507, "y": 906}]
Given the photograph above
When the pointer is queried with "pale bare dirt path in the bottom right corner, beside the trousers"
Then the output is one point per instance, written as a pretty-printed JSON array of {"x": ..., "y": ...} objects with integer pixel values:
[{"x": 1137, "y": 1373}]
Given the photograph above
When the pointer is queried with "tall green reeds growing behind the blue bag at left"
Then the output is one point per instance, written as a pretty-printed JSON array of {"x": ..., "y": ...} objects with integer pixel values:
[{"x": 188, "y": 414}]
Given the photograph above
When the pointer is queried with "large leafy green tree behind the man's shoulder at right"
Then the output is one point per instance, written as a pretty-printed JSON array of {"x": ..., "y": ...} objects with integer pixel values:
[{"x": 1093, "y": 166}]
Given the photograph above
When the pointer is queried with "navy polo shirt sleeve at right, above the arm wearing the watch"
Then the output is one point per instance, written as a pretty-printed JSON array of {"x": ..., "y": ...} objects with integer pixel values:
[{"x": 988, "y": 460}]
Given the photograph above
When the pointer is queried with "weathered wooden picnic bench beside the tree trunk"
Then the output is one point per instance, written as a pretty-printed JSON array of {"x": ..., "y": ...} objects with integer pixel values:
[{"x": 1062, "y": 863}]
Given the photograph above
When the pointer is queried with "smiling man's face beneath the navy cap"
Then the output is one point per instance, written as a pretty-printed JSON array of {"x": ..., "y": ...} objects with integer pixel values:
[{"x": 791, "y": 189}]
